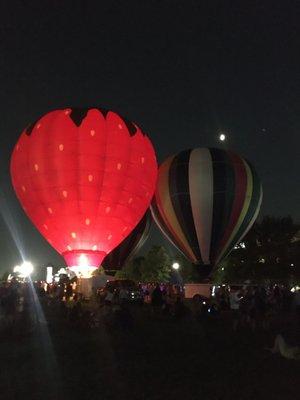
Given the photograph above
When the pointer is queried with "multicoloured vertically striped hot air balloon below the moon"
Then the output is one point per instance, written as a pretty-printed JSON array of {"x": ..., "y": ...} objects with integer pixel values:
[{"x": 206, "y": 200}]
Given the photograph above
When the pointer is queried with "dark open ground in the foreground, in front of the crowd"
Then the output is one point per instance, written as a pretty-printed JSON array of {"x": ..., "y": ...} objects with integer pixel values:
[{"x": 157, "y": 358}]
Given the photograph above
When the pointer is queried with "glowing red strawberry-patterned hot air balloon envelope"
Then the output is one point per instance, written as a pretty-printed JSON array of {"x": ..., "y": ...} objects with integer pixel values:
[{"x": 85, "y": 177}]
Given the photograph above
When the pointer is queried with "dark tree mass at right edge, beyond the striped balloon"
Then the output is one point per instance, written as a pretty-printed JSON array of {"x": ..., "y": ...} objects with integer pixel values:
[{"x": 269, "y": 253}]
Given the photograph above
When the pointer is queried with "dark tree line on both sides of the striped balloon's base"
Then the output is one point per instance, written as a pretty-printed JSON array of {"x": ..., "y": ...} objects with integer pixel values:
[{"x": 270, "y": 252}]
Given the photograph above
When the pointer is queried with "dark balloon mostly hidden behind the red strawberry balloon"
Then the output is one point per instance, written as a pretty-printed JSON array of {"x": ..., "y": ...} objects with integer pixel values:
[{"x": 117, "y": 258}]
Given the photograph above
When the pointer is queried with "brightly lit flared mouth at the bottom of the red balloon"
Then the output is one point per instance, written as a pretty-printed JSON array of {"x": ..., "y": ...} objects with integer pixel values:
[{"x": 83, "y": 262}]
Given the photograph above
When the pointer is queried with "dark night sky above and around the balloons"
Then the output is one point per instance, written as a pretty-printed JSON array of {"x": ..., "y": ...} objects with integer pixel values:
[{"x": 183, "y": 70}]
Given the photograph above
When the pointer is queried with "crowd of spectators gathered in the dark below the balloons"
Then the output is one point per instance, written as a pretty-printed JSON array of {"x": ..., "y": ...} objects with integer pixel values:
[{"x": 250, "y": 307}]
